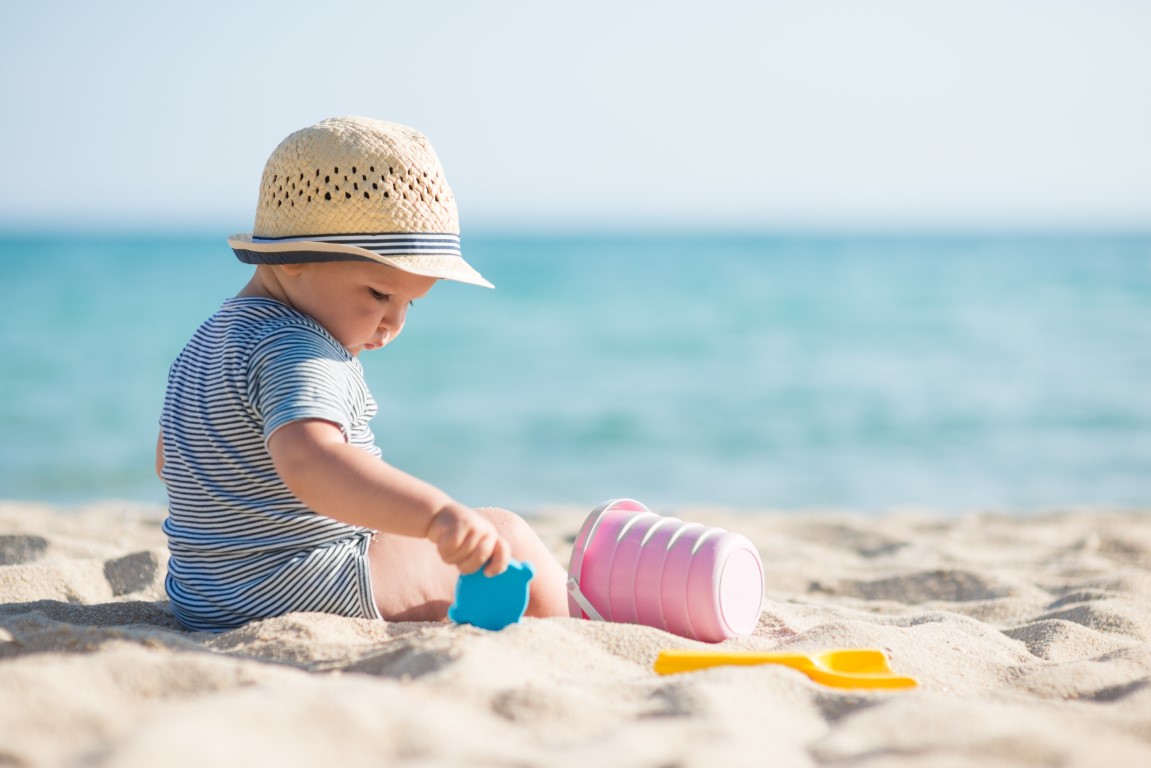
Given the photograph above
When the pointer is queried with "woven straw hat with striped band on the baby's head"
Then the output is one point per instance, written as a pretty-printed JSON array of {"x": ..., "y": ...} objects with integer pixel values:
[{"x": 352, "y": 189}]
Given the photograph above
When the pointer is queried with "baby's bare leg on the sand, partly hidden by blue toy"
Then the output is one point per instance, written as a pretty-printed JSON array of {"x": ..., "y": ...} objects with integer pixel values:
[{"x": 411, "y": 584}]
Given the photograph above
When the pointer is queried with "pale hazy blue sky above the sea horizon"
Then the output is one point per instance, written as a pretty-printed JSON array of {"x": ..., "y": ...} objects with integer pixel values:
[{"x": 886, "y": 115}]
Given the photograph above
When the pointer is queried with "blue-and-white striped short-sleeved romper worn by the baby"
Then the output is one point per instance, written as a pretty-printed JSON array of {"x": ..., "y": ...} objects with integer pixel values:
[{"x": 242, "y": 546}]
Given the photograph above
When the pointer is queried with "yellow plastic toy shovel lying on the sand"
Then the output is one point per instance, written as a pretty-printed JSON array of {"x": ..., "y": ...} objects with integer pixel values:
[{"x": 845, "y": 668}]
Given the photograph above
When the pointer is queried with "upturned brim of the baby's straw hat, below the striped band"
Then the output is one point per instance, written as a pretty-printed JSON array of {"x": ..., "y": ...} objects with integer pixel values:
[{"x": 306, "y": 252}]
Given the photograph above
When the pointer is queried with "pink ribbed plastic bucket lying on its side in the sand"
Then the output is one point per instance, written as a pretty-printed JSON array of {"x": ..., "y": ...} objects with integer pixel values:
[{"x": 630, "y": 565}]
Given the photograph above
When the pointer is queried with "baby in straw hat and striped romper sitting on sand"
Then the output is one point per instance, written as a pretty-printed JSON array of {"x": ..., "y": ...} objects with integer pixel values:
[{"x": 278, "y": 497}]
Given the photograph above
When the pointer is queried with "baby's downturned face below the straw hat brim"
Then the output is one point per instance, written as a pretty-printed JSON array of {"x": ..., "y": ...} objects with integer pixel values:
[{"x": 362, "y": 305}]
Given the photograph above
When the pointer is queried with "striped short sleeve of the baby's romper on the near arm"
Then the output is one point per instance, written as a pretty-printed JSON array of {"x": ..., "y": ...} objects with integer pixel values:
[{"x": 298, "y": 374}]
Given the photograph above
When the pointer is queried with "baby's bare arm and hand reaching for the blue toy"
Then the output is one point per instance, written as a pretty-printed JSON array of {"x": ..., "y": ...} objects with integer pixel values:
[{"x": 346, "y": 483}]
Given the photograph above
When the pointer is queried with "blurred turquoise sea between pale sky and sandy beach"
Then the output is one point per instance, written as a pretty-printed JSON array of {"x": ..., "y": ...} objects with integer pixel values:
[{"x": 769, "y": 371}]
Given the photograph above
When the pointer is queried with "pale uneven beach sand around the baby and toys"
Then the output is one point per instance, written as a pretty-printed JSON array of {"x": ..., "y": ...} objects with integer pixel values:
[{"x": 1031, "y": 638}]
